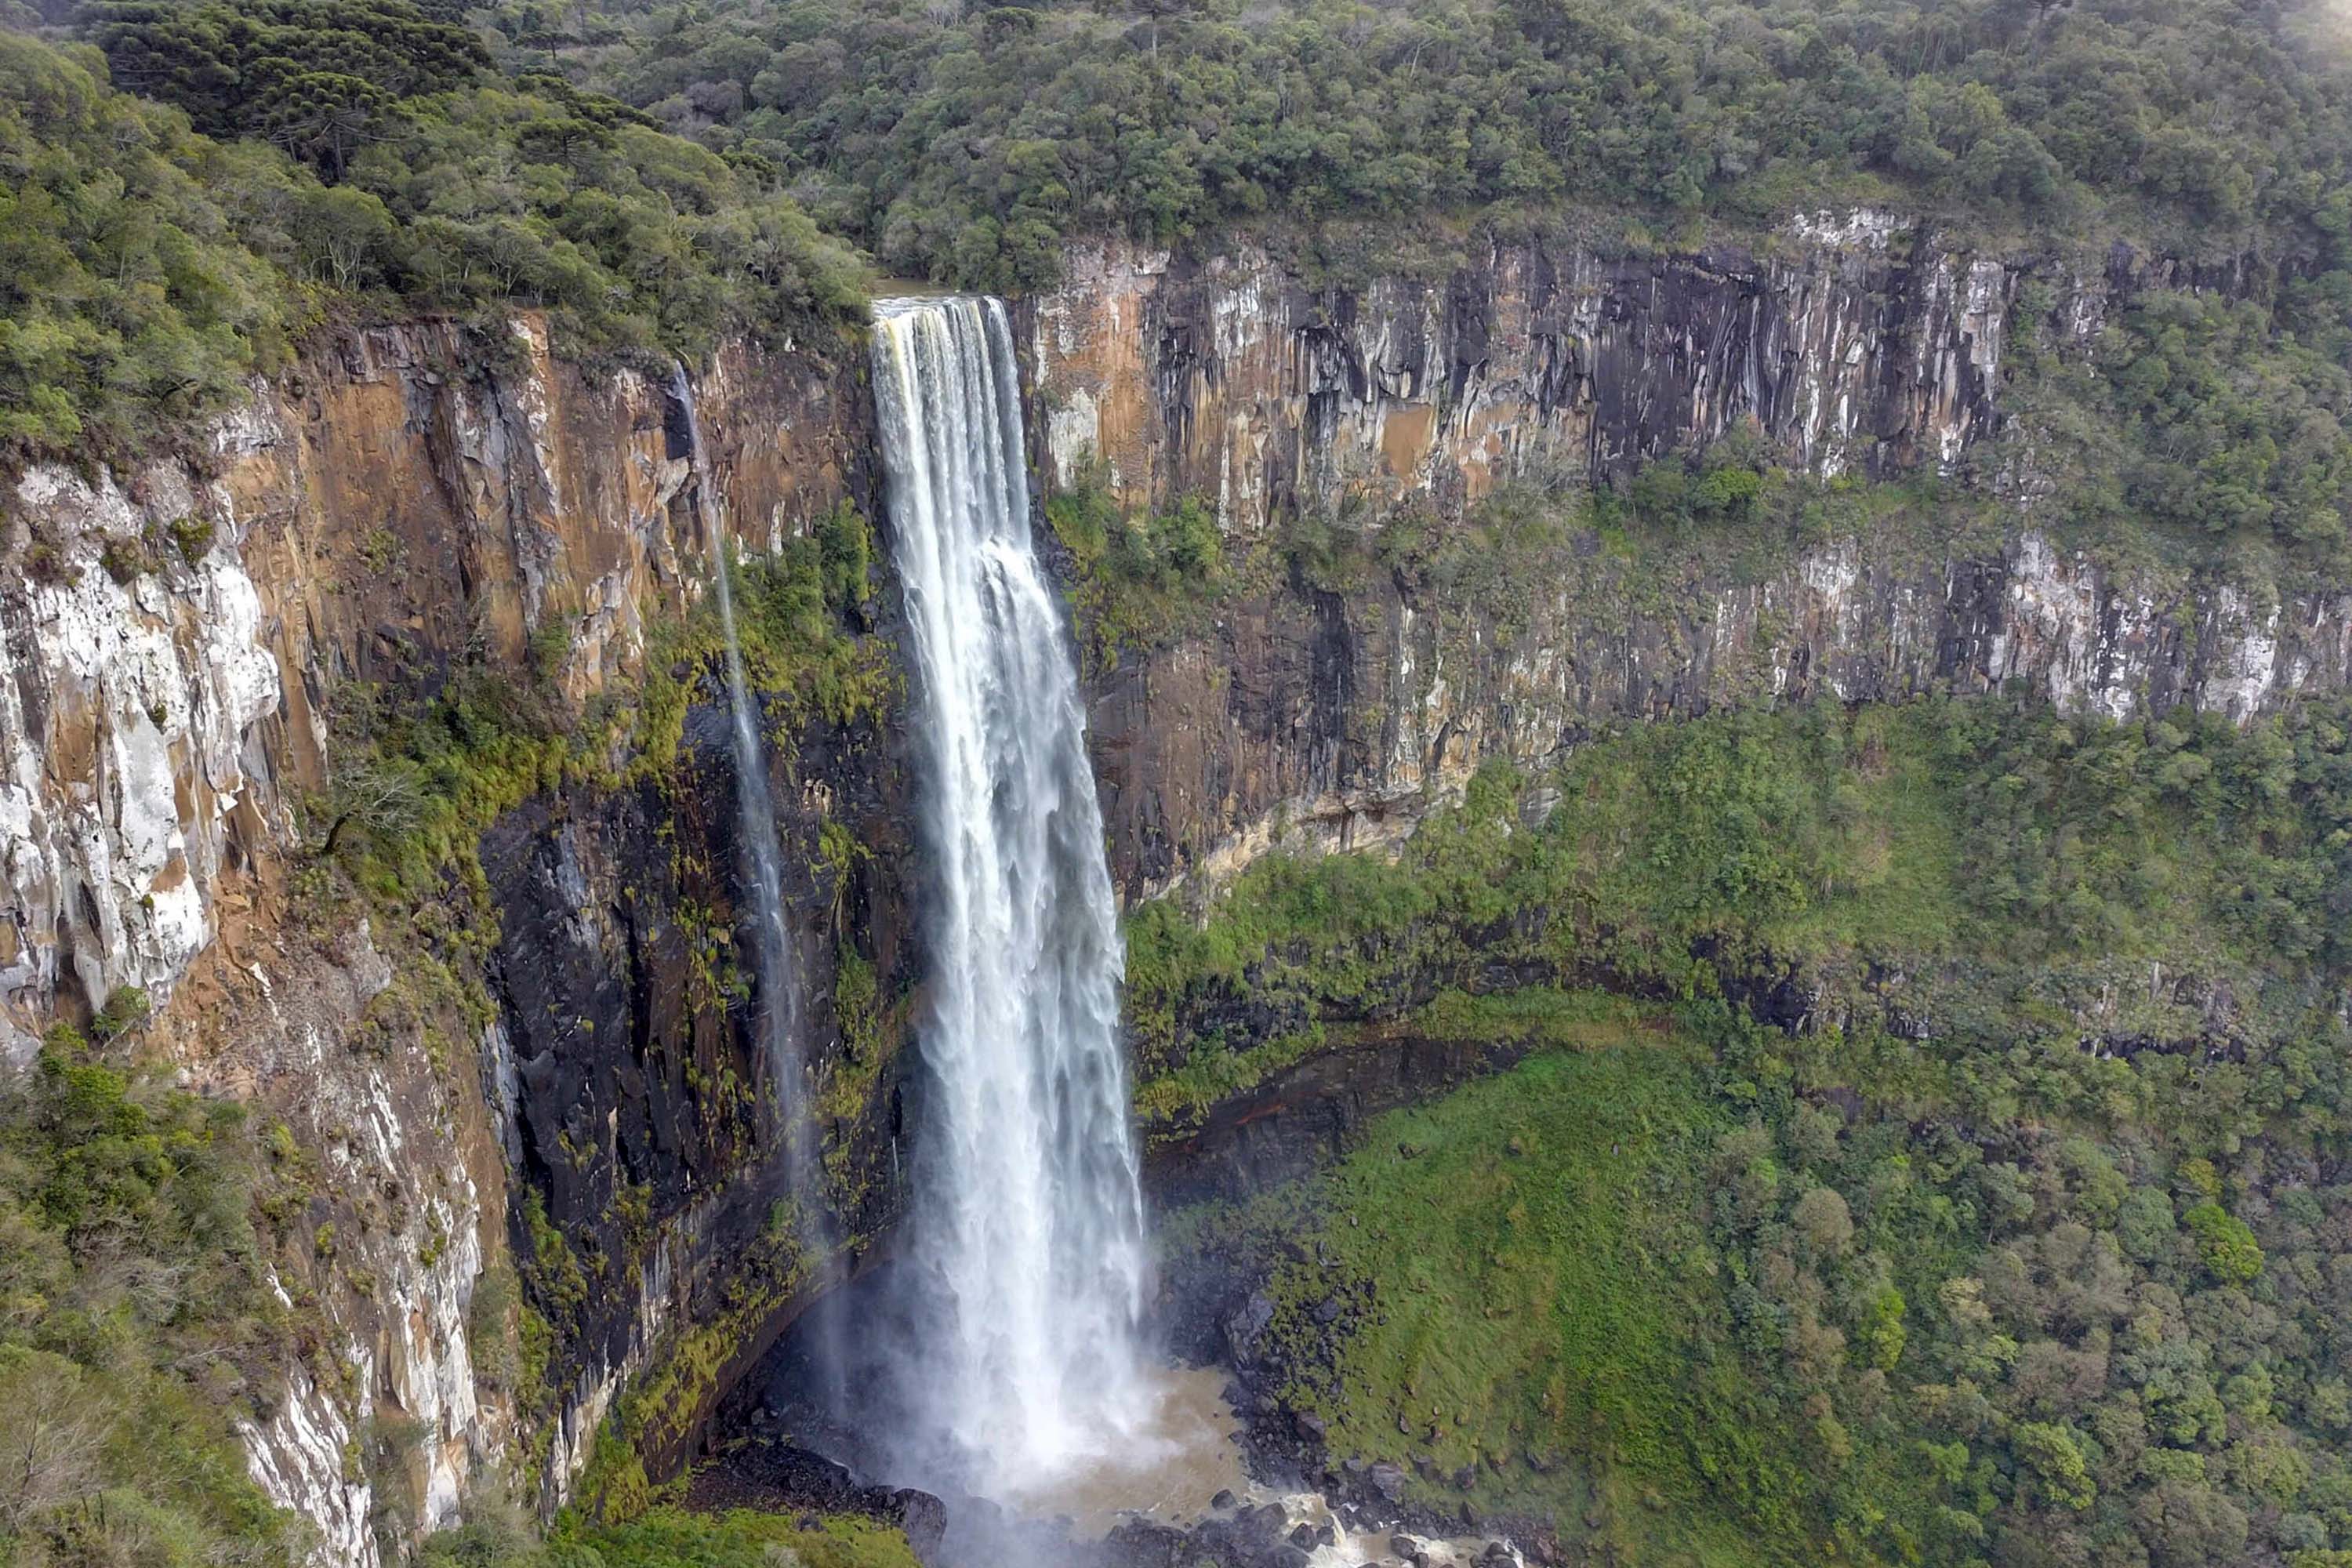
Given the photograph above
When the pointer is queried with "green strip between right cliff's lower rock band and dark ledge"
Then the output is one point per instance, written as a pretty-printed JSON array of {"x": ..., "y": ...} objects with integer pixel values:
[{"x": 1982, "y": 864}]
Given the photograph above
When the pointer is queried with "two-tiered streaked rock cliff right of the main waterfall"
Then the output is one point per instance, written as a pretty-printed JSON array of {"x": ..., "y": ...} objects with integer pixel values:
[{"x": 1332, "y": 713}]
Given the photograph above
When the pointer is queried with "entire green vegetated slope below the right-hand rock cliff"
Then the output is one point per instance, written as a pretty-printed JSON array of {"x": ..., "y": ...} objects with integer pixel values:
[{"x": 1953, "y": 1172}]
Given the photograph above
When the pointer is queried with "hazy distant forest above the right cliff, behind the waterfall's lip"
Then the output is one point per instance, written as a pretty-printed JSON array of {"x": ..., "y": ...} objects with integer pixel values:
[{"x": 968, "y": 142}]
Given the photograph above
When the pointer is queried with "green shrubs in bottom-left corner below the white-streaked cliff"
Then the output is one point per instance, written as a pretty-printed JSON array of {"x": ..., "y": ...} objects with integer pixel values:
[{"x": 135, "y": 1322}]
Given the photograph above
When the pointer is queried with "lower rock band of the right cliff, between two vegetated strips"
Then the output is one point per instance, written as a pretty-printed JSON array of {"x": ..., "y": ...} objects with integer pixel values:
[{"x": 1325, "y": 721}]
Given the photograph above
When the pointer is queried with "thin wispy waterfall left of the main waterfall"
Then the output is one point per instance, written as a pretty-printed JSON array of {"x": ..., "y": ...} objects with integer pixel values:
[{"x": 756, "y": 805}]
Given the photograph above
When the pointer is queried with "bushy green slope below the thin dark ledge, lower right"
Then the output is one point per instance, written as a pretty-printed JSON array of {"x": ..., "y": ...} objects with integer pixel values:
[{"x": 1735, "y": 1296}]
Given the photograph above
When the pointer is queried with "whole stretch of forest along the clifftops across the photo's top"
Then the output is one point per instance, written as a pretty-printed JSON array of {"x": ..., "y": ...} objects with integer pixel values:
[{"x": 669, "y": 173}]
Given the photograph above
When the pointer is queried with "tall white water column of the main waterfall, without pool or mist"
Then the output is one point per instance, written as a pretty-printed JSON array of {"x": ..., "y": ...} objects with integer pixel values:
[{"x": 1029, "y": 1217}]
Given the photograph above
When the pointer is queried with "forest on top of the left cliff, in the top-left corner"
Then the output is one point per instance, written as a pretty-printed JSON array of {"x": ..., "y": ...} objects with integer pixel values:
[{"x": 363, "y": 159}]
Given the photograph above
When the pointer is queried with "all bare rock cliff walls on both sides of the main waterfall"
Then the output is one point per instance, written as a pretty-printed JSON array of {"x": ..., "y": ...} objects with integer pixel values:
[{"x": 570, "y": 1087}]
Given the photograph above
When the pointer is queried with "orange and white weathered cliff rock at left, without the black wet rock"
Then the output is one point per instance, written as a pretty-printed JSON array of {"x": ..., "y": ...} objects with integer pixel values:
[{"x": 175, "y": 645}]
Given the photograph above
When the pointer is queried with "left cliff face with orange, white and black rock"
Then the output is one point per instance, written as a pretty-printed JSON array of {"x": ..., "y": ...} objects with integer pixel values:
[{"x": 178, "y": 645}]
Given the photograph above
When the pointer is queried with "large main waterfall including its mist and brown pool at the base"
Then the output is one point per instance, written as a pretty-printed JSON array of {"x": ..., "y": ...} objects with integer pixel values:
[{"x": 994, "y": 1360}]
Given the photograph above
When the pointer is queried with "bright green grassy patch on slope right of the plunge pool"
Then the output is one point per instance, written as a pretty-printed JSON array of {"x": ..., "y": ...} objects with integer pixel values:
[{"x": 1539, "y": 1282}]
